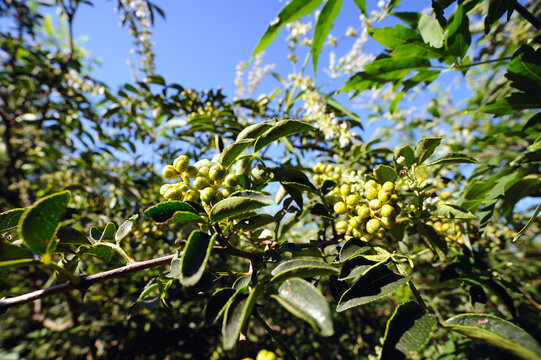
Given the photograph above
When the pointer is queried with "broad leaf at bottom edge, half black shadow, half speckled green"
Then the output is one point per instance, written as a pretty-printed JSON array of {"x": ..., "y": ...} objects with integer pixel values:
[{"x": 408, "y": 331}]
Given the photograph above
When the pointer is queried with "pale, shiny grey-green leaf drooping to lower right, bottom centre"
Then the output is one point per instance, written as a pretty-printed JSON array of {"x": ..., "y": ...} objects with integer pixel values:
[{"x": 304, "y": 300}]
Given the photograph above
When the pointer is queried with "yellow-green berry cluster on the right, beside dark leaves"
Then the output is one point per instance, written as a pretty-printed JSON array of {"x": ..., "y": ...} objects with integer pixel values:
[{"x": 371, "y": 208}]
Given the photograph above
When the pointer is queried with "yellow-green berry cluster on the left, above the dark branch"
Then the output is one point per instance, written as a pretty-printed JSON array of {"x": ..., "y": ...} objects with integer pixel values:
[{"x": 207, "y": 177}]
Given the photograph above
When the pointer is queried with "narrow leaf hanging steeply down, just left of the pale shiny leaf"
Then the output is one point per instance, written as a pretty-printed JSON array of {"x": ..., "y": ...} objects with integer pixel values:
[{"x": 237, "y": 313}]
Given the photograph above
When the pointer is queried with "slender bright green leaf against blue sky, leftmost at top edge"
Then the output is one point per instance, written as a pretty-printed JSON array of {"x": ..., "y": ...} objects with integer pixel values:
[{"x": 293, "y": 11}]
